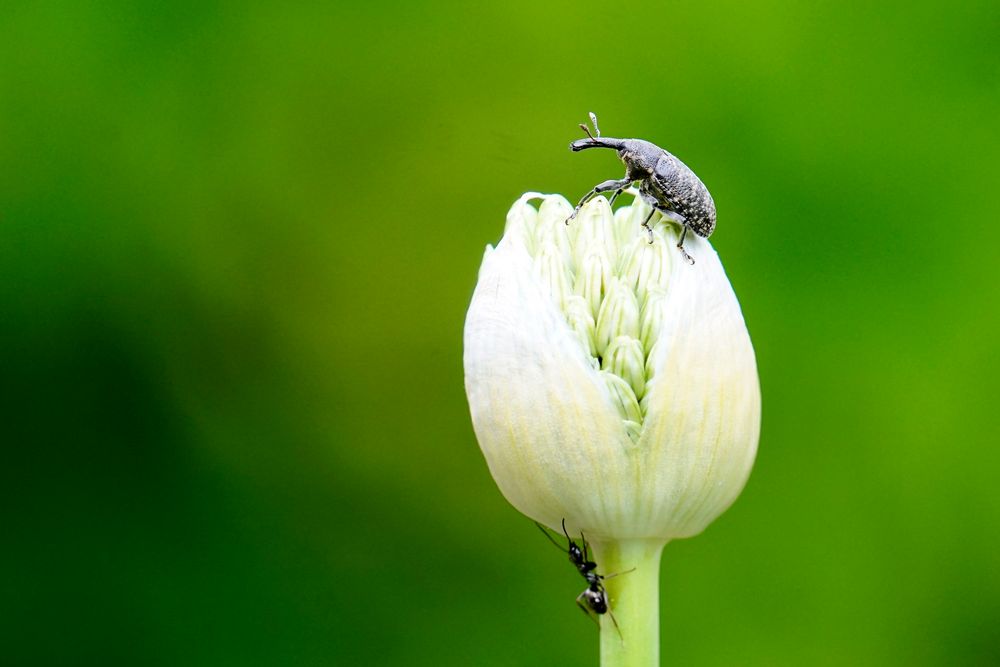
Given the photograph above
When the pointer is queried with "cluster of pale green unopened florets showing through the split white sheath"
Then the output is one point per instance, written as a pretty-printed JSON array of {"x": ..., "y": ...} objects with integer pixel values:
[{"x": 609, "y": 283}]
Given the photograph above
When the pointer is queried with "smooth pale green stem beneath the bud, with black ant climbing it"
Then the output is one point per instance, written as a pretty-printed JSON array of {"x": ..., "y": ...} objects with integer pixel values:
[{"x": 634, "y": 600}]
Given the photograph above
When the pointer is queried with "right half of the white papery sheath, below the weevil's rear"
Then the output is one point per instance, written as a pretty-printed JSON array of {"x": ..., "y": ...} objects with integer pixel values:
[{"x": 702, "y": 402}]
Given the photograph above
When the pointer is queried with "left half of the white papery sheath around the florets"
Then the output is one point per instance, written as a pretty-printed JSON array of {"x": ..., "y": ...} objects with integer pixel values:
[{"x": 543, "y": 416}]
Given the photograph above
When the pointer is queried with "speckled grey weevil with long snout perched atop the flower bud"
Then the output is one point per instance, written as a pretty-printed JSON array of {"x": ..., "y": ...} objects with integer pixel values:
[{"x": 665, "y": 183}]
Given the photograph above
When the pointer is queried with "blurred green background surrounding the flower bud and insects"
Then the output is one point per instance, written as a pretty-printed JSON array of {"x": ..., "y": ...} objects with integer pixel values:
[{"x": 237, "y": 242}]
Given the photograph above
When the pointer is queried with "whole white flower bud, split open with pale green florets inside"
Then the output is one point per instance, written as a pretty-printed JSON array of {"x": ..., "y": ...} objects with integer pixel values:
[{"x": 610, "y": 382}]
